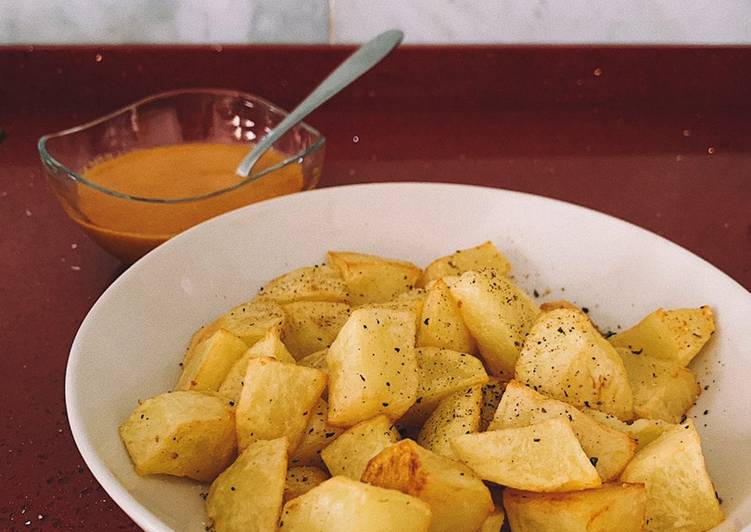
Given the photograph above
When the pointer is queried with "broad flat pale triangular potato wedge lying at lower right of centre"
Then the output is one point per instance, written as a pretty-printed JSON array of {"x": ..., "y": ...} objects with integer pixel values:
[{"x": 543, "y": 457}]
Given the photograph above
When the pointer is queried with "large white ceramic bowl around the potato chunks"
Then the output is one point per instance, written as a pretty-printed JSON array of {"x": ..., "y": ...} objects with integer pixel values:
[{"x": 129, "y": 345}]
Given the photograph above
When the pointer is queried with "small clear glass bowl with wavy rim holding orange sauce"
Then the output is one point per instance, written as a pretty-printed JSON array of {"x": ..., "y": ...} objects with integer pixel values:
[{"x": 136, "y": 213}]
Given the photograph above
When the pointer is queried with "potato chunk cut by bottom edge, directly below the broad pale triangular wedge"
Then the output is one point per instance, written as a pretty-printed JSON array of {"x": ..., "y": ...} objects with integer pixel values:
[{"x": 613, "y": 506}]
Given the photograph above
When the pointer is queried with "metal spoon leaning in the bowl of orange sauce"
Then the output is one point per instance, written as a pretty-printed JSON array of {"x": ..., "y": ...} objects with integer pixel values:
[{"x": 365, "y": 58}]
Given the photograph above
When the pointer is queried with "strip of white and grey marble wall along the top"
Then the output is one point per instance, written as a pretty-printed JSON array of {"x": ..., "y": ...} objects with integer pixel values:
[{"x": 424, "y": 21}]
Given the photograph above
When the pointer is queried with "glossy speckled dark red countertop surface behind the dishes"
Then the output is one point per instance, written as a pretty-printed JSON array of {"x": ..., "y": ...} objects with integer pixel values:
[{"x": 658, "y": 136}]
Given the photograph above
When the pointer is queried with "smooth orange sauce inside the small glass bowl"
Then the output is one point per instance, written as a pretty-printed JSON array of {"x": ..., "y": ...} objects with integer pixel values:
[{"x": 129, "y": 228}]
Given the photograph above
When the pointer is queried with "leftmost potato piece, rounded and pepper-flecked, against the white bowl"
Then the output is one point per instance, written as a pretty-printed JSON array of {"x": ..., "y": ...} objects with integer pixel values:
[{"x": 185, "y": 434}]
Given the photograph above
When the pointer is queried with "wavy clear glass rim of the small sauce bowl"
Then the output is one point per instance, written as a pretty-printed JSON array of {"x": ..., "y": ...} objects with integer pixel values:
[{"x": 50, "y": 161}]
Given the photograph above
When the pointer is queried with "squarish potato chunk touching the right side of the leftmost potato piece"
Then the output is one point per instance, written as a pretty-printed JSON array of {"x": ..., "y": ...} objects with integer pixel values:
[{"x": 276, "y": 401}]
